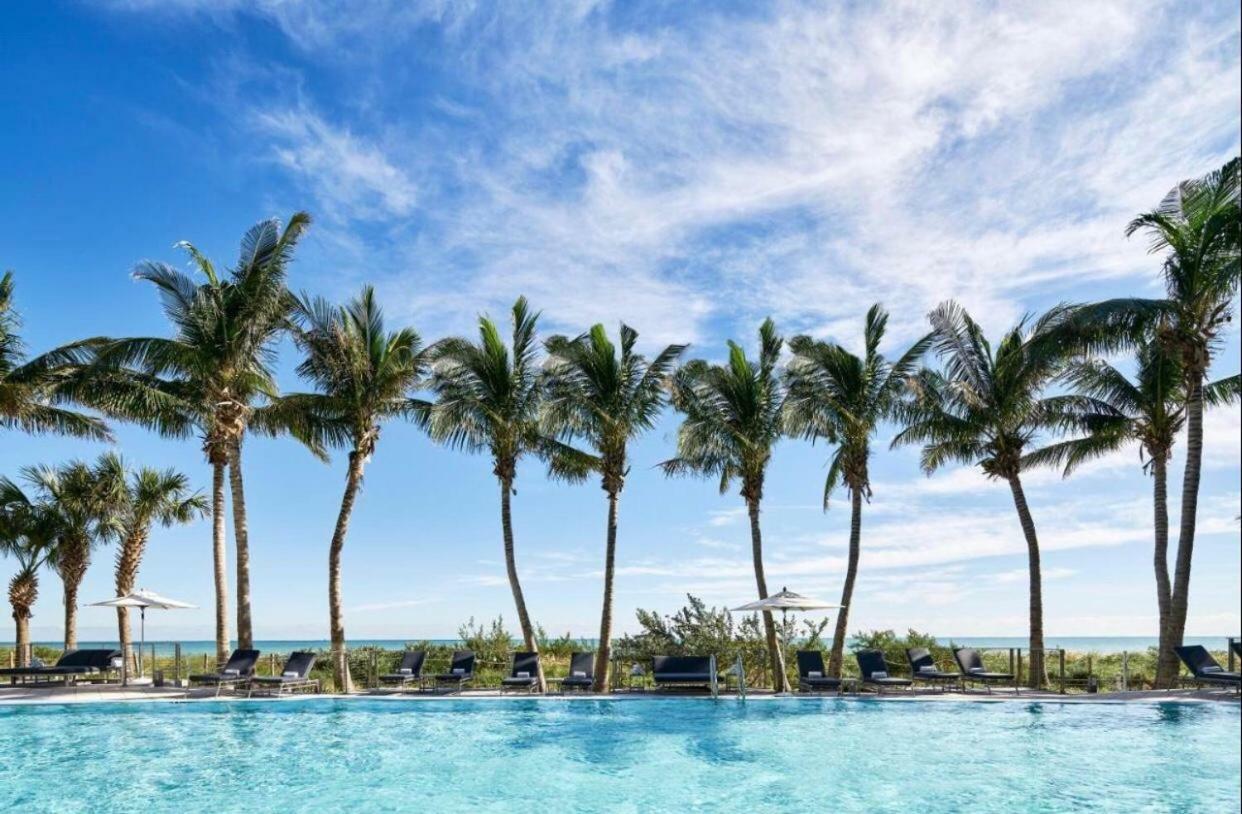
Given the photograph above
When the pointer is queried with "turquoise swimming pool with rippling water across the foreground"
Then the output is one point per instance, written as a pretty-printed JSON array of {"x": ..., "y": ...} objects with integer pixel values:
[{"x": 620, "y": 756}]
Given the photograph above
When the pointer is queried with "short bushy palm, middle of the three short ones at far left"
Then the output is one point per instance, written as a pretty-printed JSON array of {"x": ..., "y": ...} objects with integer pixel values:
[{"x": 76, "y": 494}]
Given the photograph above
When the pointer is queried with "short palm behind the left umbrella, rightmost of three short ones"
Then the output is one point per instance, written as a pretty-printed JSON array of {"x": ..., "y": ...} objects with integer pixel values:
[{"x": 142, "y": 499}]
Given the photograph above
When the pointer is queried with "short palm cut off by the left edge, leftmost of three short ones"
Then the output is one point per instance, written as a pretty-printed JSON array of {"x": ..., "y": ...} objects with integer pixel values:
[{"x": 28, "y": 533}]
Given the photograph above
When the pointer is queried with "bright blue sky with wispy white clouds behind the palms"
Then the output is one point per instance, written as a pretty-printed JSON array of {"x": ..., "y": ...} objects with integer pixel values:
[{"x": 687, "y": 168}]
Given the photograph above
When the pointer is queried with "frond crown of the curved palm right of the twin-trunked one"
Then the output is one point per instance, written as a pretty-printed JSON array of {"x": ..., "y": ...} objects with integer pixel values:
[{"x": 365, "y": 373}]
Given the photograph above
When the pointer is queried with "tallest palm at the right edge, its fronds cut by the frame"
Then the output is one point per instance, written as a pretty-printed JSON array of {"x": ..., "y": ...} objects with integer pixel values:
[{"x": 1198, "y": 229}]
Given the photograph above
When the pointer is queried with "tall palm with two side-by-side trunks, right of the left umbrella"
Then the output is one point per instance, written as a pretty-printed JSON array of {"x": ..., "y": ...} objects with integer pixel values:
[{"x": 209, "y": 376}]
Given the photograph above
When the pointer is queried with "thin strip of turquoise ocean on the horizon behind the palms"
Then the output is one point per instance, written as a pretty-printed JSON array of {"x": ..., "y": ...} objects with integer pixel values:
[{"x": 1071, "y": 644}]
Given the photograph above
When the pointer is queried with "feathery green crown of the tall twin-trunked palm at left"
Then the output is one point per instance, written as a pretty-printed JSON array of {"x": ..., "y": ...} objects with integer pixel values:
[{"x": 219, "y": 359}]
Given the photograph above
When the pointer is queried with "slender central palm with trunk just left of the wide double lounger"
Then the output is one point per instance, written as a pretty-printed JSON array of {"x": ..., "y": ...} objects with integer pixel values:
[{"x": 607, "y": 401}]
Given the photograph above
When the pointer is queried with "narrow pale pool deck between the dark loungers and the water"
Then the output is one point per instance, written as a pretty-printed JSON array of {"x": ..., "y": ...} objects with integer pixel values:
[{"x": 114, "y": 694}]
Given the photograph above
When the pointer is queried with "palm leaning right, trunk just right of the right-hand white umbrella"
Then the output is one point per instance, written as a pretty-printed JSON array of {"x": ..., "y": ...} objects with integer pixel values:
[{"x": 843, "y": 398}]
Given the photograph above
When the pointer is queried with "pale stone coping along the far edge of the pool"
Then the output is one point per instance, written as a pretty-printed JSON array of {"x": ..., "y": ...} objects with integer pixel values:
[{"x": 74, "y": 697}]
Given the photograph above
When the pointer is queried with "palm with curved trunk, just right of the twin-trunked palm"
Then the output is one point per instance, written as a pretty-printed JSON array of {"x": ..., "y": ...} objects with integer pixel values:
[{"x": 365, "y": 375}]
